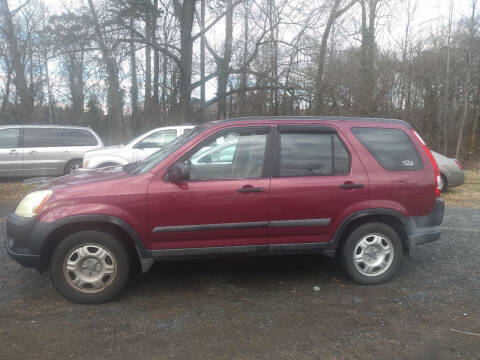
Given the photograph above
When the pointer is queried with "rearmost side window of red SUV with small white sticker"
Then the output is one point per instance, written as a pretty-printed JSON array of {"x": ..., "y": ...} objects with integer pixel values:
[{"x": 392, "y": 148}]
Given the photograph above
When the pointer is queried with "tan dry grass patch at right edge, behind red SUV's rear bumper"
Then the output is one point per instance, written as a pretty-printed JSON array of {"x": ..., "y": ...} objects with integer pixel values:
[{"x": 467, "y": 195}]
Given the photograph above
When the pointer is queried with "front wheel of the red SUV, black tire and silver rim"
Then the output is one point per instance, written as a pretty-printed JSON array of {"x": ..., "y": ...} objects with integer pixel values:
[{"x": 90, "y": 239}]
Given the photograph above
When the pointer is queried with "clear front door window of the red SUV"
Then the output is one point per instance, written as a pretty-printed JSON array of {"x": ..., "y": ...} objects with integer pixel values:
[{"x": 235, "y": 154}]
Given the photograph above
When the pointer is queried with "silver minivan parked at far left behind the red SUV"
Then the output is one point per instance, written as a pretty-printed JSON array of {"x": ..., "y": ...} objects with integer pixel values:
[{"x": 44, "y": 150}]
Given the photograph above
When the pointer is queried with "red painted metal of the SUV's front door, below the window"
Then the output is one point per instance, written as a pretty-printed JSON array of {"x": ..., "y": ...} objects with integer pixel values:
[{"x": 207, "y": 202}]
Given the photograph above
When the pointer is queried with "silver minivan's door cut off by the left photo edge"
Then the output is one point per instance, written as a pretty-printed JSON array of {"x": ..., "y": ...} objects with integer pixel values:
[{"x": 11, "y": 155}]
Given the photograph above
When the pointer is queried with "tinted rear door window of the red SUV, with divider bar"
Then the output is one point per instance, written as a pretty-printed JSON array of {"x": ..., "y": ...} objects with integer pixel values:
[{"x": 312, "y": 154}]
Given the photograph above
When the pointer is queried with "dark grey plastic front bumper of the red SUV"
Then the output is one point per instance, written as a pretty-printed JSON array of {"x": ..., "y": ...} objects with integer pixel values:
[{"x": 24, "y": 240}]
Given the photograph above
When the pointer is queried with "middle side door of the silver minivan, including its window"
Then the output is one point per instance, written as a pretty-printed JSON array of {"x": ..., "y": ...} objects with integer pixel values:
[{"x": 42, "y": 151}]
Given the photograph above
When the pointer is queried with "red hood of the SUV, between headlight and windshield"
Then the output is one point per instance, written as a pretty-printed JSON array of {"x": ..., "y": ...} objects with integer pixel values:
[{"x": 86, "y": 177}]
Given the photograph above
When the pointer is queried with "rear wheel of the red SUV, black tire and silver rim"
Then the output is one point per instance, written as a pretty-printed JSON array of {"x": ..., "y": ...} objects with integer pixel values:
[{"x": 388, "y": 239}]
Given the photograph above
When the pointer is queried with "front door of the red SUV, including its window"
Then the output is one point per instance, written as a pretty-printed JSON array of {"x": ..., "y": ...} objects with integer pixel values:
[{"x": 222, "y": 206}]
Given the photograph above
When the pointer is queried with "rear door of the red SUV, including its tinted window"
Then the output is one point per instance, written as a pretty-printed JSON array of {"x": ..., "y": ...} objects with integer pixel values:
[{"x": 317, "y": 182}]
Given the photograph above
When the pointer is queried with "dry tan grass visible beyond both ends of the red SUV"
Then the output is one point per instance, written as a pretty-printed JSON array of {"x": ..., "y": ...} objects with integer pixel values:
[{"x": 467, "y": 195}]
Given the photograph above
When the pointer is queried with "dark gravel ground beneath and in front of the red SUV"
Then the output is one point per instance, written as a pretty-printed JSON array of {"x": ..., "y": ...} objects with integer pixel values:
[{"x": 260, "y": 308}]
